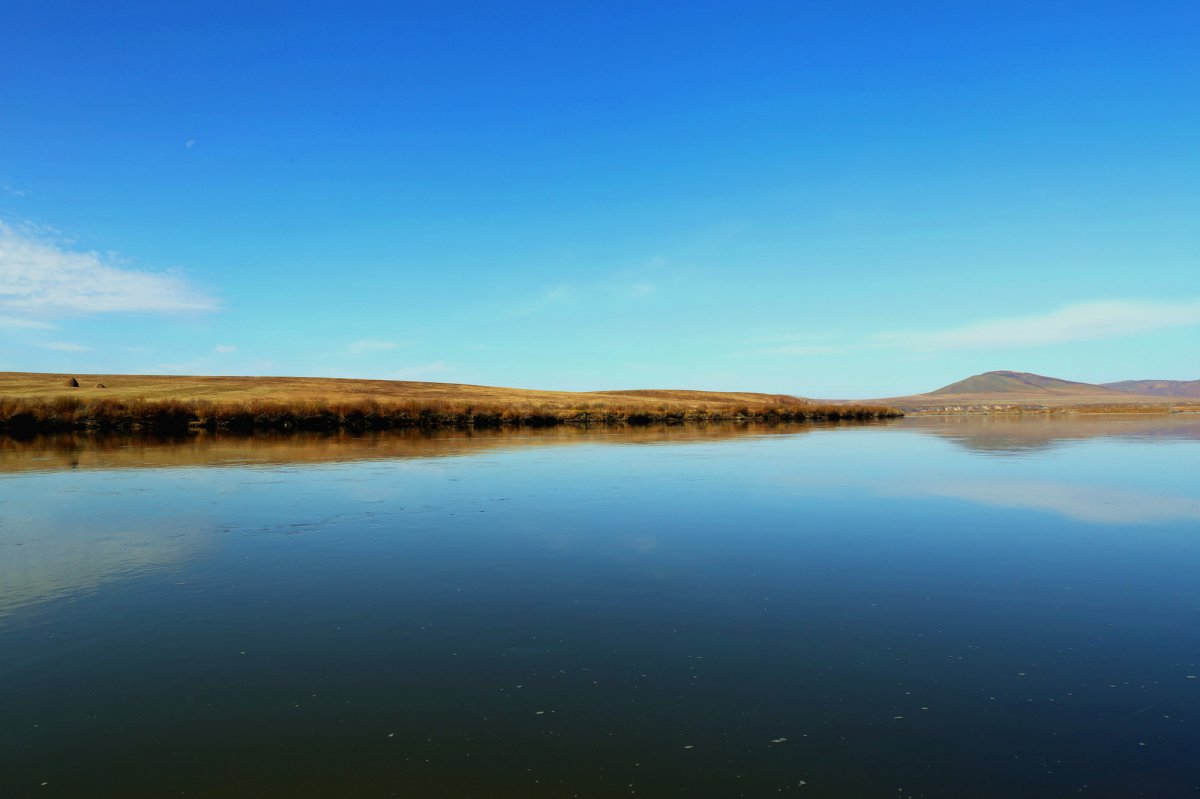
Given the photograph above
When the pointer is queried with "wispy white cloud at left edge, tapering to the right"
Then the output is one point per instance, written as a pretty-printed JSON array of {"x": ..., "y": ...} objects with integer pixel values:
[{"x": 40, "y": 278}]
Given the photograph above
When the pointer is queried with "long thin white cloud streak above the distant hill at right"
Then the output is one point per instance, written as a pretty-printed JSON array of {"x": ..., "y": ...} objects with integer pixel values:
[{"x": 1082, "y": 322}]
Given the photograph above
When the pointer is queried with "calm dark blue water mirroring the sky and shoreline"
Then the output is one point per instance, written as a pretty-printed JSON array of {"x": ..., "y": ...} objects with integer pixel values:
[{"x": 932, "y": 608}]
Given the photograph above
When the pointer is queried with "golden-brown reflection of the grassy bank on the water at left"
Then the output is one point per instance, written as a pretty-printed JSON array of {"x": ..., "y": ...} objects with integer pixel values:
[{"x": 110, "y": 452}]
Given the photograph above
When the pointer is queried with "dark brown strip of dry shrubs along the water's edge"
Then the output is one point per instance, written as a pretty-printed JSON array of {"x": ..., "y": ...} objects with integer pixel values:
[{"x": 34, "y": 416}]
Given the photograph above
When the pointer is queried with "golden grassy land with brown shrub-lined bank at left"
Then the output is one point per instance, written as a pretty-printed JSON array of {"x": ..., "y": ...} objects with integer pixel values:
[{"x": 37, "y": 402}]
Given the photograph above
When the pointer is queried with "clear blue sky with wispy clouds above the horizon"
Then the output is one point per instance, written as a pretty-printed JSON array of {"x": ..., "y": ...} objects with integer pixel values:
[{"x": 832, "y": 200}]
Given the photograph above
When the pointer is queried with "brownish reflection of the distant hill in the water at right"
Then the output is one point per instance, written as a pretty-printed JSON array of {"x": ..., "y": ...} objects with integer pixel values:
[{"x": 1027, "y": 434}]
